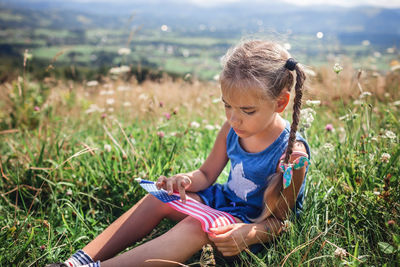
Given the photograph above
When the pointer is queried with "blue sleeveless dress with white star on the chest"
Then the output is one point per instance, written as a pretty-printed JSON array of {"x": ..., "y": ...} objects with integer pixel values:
[{"x": 242, "y": 195}]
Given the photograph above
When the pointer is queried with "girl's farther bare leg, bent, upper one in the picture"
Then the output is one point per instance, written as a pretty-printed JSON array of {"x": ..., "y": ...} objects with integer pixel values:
[{"x": 132, "y": 226}]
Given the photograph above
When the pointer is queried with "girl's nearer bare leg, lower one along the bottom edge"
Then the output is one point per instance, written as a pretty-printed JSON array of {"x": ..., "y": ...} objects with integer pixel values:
[{"x": 178, "y": 245}]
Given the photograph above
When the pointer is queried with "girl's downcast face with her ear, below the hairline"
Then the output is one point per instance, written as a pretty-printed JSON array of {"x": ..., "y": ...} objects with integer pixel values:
[{"x": 248, "y": 113}]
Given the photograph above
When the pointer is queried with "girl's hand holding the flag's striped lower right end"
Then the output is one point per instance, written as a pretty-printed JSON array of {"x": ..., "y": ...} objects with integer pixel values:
[{"x": 230, "y": 240}]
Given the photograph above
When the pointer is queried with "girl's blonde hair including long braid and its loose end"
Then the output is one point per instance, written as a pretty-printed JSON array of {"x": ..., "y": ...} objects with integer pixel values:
[{"x": 261, "y": 64}]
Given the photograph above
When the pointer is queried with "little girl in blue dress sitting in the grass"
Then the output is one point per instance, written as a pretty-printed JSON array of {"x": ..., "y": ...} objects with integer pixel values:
[{"x": 266, "y": 181}]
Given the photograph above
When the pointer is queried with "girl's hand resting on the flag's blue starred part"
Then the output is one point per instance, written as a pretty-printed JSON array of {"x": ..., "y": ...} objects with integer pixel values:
[{"x": 177, "y": 183}]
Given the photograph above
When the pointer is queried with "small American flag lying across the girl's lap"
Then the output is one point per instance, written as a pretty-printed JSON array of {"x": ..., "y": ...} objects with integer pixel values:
[{"x": 208, "y": 217}]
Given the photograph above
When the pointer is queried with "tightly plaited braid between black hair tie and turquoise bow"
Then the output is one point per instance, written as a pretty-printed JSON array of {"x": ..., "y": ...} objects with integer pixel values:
[{"x": 300, "y": 78}]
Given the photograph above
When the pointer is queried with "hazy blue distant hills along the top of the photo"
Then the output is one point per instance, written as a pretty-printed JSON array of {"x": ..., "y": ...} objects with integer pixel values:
[{"x": 232, "y": 17}]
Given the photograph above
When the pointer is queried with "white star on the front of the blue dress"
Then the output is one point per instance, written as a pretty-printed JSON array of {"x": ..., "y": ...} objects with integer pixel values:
[{"x": 239, "y": 184}]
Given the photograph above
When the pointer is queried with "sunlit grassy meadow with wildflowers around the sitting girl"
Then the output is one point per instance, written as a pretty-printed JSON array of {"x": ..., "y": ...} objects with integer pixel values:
[{"x": 70, "y": 151}]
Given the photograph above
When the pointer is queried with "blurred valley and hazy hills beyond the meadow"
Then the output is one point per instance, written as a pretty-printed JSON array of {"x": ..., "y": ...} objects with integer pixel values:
[{"x": 83, "y": 39}]
